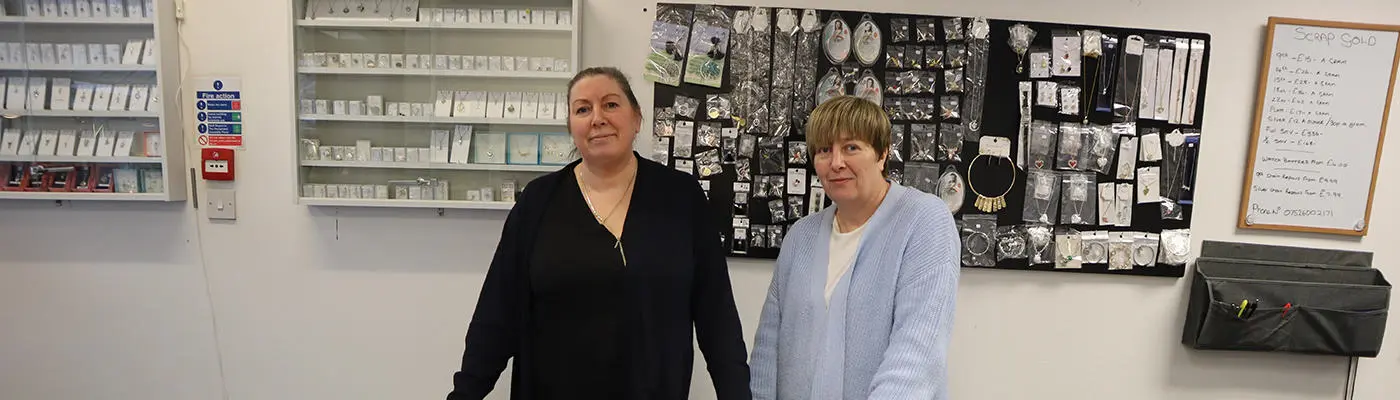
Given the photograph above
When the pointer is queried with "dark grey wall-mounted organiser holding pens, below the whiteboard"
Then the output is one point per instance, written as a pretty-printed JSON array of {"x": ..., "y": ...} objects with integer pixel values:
[{"x": 1249, "y": 297}]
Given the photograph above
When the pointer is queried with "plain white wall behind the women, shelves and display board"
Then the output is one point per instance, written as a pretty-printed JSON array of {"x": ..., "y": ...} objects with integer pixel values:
[{"x": 110, "y": 301}]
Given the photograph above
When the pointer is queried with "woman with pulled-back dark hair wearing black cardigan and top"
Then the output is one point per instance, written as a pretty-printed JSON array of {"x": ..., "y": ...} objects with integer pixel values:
[{"x": 603, "y": 269}]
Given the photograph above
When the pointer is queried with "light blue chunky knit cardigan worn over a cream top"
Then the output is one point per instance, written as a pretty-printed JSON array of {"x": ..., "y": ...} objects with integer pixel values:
[{"x": 887, "y": 331}]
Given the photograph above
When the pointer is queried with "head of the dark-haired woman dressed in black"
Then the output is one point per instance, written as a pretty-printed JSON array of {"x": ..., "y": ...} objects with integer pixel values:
[{"x": 601, "y": 120}]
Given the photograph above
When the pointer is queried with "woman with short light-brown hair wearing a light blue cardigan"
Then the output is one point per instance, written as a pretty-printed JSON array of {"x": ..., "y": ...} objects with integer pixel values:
[{"x": 862, "y": 303}]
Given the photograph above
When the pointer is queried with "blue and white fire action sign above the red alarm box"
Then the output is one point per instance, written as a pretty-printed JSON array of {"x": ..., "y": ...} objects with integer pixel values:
[{"x": 219, "y": 111}]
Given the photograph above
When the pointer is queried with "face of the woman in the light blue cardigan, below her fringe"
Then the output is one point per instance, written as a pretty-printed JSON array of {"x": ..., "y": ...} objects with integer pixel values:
[{"x": 852, "y": 171}]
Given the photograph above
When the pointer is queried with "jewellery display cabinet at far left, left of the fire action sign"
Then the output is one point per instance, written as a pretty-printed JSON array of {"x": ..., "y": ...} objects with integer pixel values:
[{"x": 86, "y": 110}]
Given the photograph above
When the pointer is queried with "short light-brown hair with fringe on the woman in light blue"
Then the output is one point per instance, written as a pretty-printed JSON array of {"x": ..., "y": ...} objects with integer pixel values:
[{"x": 849, "y": 118}]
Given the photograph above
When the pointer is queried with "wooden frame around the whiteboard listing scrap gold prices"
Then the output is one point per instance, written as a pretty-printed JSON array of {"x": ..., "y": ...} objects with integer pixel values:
[{"x": 1259, "y": 115}]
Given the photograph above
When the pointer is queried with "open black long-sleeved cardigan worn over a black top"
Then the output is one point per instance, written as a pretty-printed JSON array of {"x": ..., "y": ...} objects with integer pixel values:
[{"x": 677, "y": 278}]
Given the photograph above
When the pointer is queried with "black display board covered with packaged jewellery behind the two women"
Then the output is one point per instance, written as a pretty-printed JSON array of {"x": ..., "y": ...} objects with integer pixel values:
[{"x": 1081, "y": 141}]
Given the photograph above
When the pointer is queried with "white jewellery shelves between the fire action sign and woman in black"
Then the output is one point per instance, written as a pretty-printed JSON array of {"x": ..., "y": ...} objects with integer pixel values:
[{"x": 422, "y": 104}]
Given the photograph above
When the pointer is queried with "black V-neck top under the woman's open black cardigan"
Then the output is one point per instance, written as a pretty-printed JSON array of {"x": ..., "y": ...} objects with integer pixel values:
[{"x": 577, "y": 303}]
